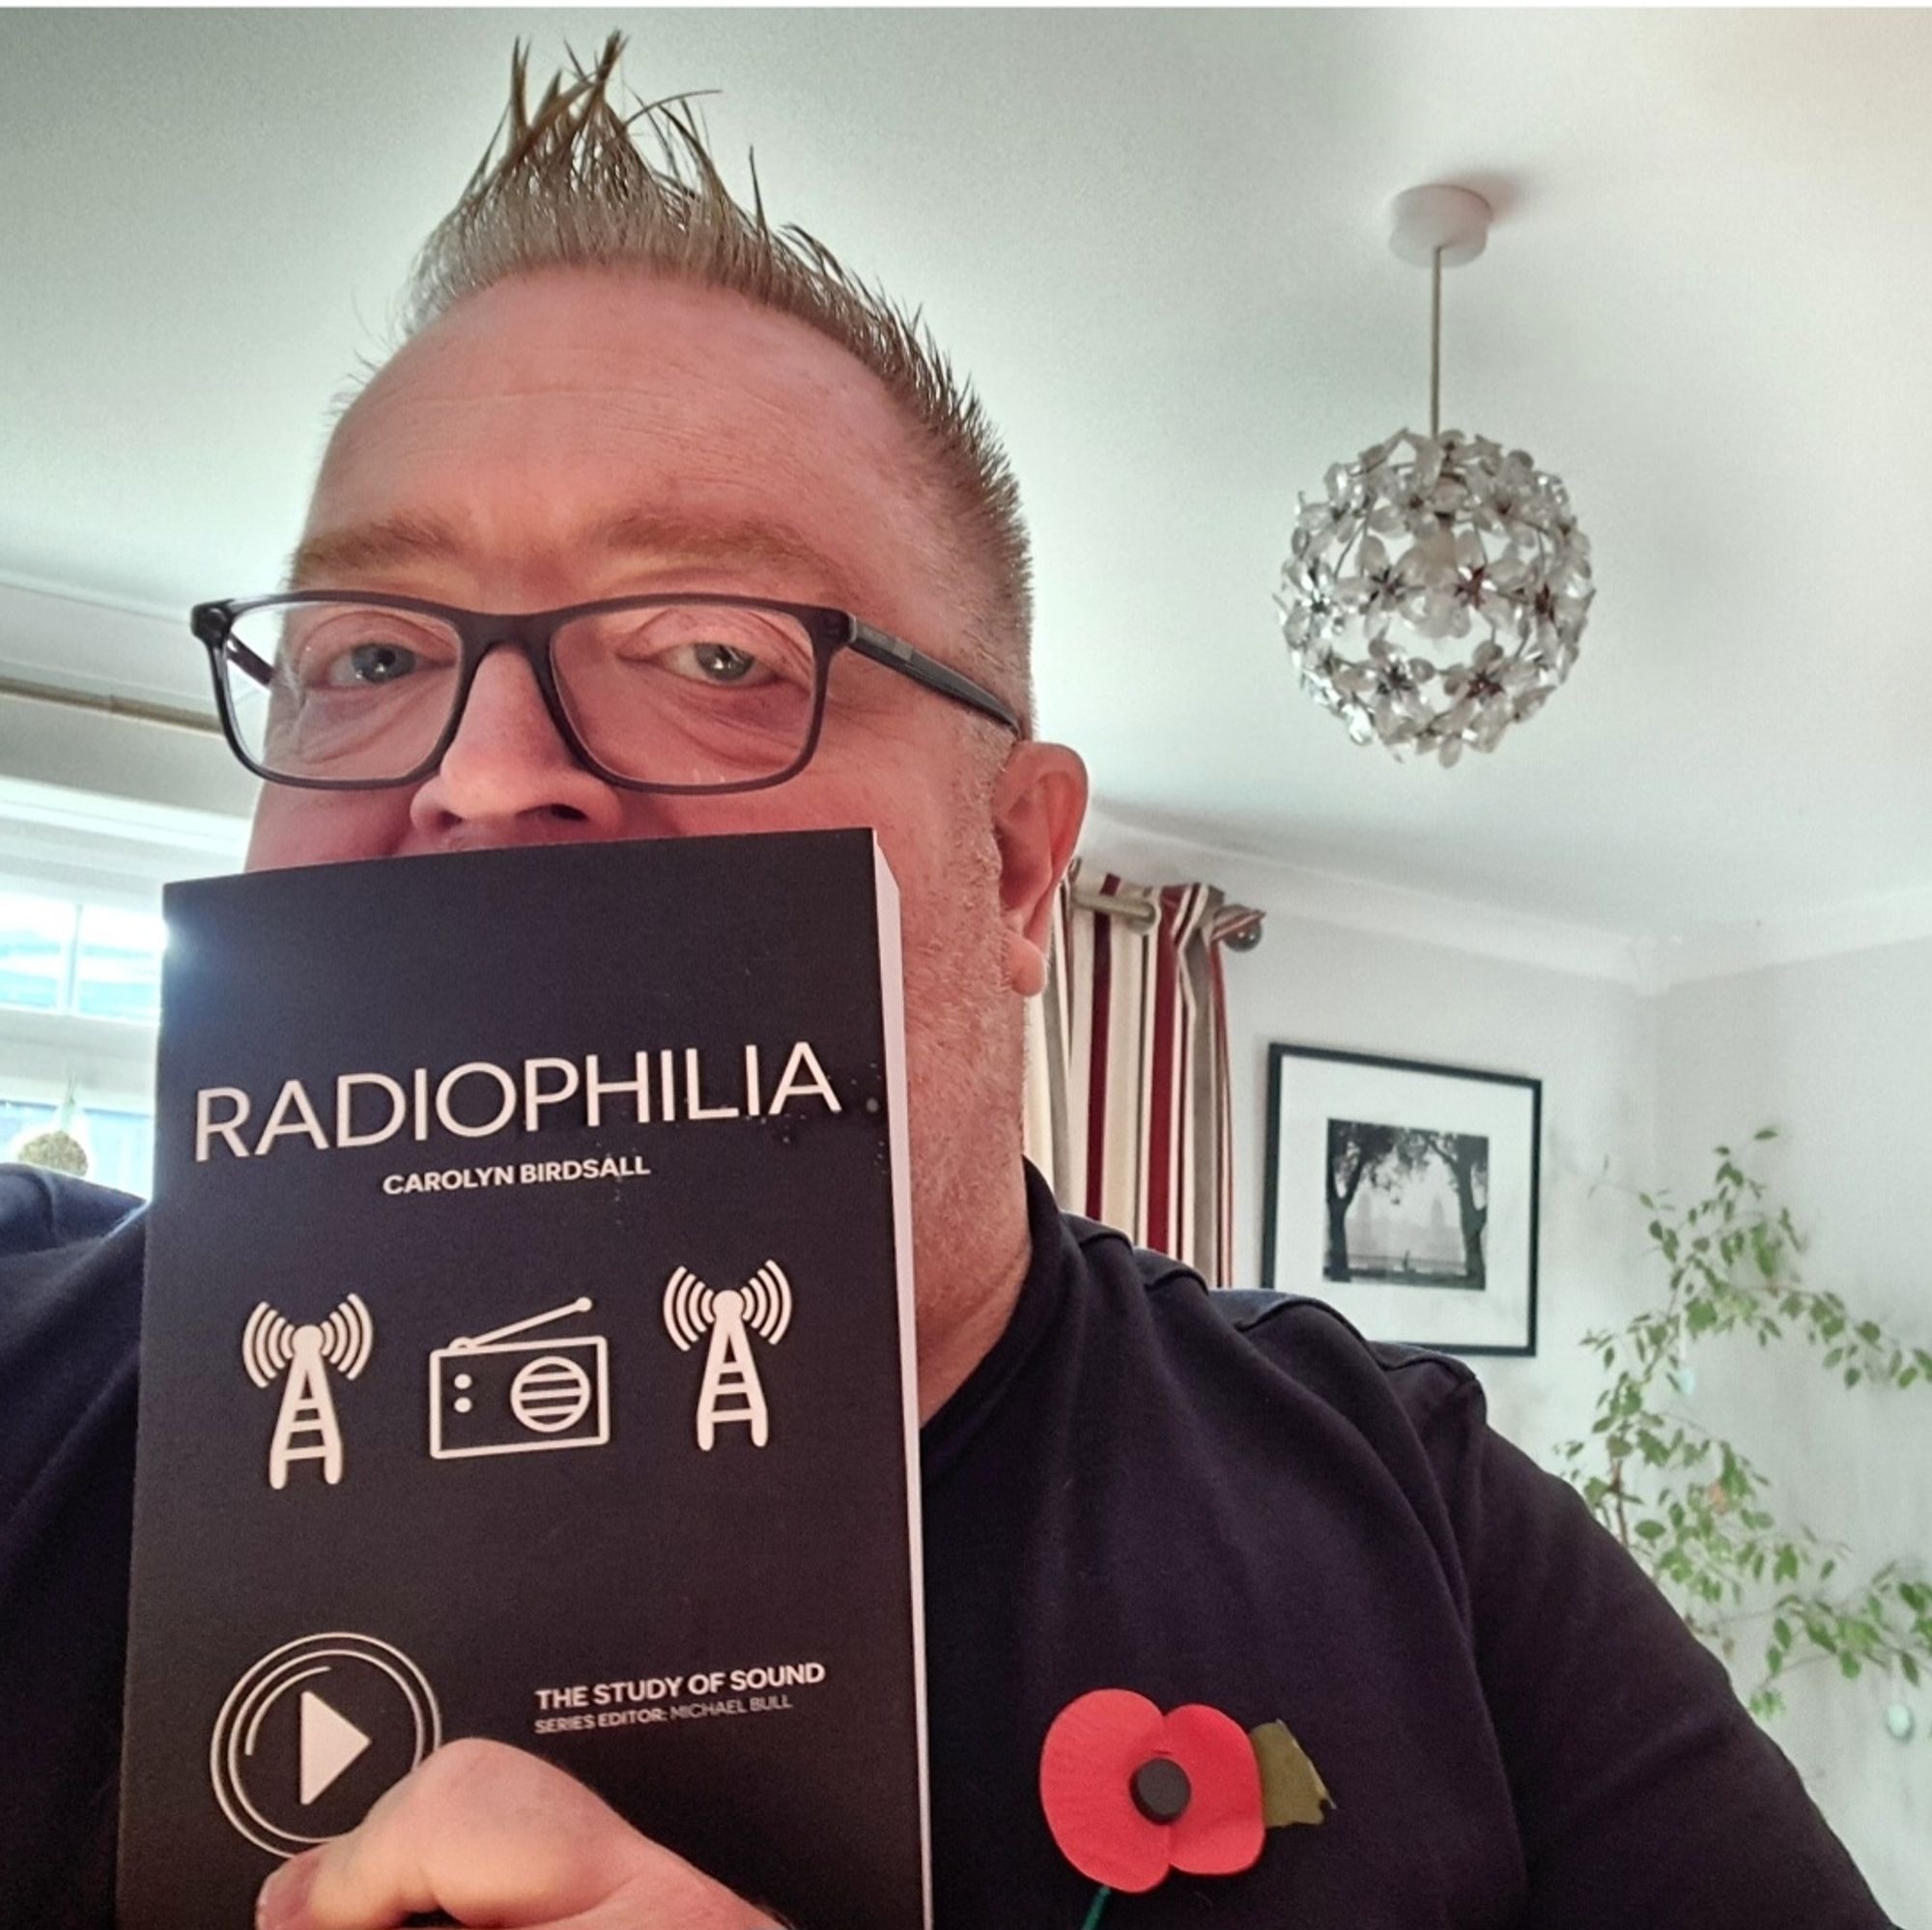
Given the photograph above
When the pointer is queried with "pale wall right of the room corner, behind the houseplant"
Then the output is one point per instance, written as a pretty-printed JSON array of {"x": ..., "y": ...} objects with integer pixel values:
[{"x": 1838, "y": 1056}]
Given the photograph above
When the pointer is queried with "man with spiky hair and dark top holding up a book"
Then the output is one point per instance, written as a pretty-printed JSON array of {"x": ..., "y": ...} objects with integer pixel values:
[{"x": 621, "y": 383}]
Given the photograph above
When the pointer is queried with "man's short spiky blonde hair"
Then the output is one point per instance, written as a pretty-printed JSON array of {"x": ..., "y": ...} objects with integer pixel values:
[{"x": 569, "y": 184}]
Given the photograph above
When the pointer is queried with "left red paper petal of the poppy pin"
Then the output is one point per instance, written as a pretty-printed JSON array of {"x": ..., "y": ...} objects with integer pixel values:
[{"x": 1087, "y": 1771}]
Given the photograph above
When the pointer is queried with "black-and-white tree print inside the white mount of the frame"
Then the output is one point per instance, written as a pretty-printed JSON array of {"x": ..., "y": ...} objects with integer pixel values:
[{"x": 1406, "y": 1206}]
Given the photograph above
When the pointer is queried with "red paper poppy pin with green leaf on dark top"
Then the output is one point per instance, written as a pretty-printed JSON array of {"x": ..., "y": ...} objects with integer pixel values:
[{"x": 1133, "y": 1794}]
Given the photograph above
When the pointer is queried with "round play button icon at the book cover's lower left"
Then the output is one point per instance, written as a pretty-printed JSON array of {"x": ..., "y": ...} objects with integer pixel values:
[{"x": 314, "y": 1734}]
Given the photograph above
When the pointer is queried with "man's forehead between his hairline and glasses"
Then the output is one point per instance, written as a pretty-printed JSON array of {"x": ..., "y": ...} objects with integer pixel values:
[{"x": 544, "y": 416}]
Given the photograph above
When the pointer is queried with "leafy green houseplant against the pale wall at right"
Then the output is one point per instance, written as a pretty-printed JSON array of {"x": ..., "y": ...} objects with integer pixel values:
[{"x": 1688, "y": 1502}]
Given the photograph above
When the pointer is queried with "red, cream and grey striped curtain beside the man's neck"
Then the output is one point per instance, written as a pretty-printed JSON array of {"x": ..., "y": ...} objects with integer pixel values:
[{"x": 1127, "y": 1087}]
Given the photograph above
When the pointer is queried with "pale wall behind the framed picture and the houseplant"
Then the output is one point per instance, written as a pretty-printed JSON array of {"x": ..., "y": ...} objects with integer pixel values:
[{"x": 1838, "y": 1052}]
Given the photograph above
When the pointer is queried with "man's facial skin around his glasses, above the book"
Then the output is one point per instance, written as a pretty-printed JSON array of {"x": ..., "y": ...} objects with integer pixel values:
[{"x": 751, "y": 455}]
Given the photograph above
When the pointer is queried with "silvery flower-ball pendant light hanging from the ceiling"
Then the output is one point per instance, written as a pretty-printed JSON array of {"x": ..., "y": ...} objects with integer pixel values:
[{"x": 1436, "y": 548}]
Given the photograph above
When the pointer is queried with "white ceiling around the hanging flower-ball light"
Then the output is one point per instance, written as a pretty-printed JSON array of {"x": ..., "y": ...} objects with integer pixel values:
[{"x": 1158, "y": 244}]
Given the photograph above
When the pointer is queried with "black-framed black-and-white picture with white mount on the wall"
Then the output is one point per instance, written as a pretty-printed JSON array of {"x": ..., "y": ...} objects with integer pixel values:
[{"x": 1406, "y": 1195}]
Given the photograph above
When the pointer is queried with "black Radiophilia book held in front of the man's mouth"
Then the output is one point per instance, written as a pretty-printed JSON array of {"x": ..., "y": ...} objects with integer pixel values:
[{"x": 528, "y": 1353}]
